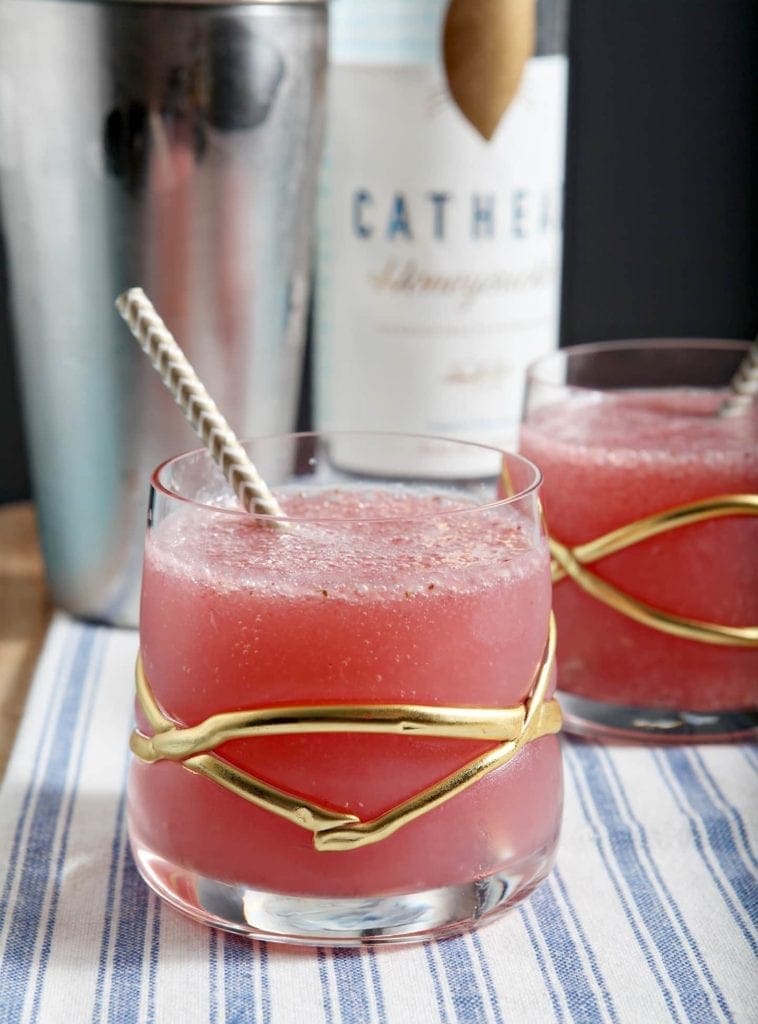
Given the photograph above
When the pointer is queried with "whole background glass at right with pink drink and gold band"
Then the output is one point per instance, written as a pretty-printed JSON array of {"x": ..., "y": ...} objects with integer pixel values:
[{"x": 613, "y": 457}]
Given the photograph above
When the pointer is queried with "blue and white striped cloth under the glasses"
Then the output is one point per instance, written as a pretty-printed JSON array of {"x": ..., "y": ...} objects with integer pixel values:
[{"x": 650, "y": 916}]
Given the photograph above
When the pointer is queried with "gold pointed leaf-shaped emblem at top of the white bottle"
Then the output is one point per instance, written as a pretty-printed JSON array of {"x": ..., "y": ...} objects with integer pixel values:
[{"x": 486, "y": 45}]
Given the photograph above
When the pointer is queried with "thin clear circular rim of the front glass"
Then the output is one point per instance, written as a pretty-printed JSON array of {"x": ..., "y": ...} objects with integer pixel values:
[{"x": 158, "y": 487}]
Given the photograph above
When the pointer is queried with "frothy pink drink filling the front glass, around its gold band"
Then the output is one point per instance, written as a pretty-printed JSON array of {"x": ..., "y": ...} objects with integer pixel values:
[{"x": 394, "y": 594}]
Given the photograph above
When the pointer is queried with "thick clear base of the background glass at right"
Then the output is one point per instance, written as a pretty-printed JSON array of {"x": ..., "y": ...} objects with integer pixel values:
[{"x": 599, "y": 720}]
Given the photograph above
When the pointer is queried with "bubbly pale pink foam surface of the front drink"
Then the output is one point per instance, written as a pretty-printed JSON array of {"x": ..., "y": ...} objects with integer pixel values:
[{"x": 352, "y": 542}]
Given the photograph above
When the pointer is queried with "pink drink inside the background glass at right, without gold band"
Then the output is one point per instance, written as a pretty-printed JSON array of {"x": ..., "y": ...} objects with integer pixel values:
[{"x": 610, "y": 459}]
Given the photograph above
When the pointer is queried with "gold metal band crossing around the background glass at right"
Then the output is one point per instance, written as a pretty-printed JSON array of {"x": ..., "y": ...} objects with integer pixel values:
[{"x": 573, "y": 562}]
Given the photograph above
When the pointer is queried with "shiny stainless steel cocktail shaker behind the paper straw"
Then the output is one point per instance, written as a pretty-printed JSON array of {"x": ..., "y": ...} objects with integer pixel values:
[{"x": 173, "y": 146}]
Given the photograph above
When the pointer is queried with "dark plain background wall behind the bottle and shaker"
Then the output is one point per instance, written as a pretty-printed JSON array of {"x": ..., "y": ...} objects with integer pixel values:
[{"x": 662, "y": 184}]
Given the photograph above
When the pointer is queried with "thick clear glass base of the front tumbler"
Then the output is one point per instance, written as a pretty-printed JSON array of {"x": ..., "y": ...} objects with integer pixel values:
[{"x": 399, "y": 918}]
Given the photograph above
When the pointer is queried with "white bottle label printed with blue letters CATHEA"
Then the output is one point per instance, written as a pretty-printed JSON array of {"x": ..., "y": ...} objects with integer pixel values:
[{"x": 440, "y": 254}]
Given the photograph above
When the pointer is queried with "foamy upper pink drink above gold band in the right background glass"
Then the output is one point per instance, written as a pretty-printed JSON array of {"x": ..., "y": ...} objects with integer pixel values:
[{"x": 611, "y": 459}]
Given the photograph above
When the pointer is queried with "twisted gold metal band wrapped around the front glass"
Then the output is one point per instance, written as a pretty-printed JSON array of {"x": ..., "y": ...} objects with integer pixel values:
[{"x": 334, "y": 831}]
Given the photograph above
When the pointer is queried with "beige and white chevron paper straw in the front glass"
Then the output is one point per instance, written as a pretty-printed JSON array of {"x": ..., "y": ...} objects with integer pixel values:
[{"x": 192, "y": 398}]
